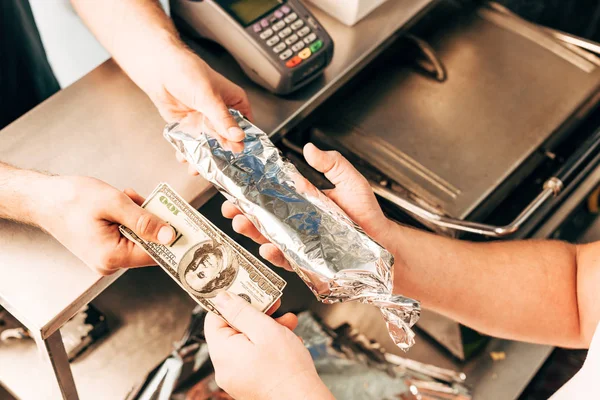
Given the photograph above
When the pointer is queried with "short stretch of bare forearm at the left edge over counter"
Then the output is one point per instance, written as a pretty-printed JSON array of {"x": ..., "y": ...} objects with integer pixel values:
[{"x": 19, "y": 190}]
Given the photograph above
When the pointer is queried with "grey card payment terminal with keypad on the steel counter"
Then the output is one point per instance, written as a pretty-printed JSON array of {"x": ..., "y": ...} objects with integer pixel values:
[{"x": 278, "y": 43}]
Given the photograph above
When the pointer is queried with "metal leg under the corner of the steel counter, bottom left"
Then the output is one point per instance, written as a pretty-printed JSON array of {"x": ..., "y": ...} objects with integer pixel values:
[{"x": 54, "y": 355}]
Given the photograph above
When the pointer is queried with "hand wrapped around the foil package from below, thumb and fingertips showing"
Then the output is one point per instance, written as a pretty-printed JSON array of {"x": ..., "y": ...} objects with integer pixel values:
[{"x": 352, "y": 193}]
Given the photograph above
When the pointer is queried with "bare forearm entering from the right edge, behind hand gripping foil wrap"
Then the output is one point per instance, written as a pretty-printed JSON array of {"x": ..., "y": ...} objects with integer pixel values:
[{"x": 518, "y": 290}]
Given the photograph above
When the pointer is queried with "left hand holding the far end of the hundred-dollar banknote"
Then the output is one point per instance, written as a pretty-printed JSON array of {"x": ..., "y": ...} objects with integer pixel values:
[{"x": 84, "y": 215}]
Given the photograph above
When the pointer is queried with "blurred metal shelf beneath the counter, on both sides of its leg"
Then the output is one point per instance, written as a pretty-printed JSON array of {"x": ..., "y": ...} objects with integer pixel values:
[{"x": 146, "y": 312}]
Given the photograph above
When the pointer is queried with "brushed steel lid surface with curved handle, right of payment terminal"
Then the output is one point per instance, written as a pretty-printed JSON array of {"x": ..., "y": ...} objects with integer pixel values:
[{"x": 459, "y": 143}]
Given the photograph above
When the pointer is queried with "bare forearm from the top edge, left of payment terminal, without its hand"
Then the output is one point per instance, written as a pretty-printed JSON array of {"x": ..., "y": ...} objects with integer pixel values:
[{"x": 137, "y": 33}]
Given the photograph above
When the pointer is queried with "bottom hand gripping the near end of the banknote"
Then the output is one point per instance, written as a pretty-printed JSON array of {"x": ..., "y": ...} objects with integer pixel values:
[{"x": 264, "y": 359}]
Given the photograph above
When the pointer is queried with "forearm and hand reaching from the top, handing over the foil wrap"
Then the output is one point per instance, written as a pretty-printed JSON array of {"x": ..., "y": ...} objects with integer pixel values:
[{"x": 144, "y": 42}]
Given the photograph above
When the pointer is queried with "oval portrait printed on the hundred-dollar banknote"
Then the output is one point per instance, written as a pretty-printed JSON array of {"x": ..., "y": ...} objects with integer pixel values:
[{"x": 208, "y": 268}]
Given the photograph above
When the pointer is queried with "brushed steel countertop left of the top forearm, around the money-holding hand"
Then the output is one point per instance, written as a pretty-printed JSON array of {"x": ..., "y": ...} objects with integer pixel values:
[{"x": 102, "y": 126}]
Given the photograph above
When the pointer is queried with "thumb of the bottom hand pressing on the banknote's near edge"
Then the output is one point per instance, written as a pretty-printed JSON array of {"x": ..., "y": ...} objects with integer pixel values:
[{"x": 245, "y": 318}]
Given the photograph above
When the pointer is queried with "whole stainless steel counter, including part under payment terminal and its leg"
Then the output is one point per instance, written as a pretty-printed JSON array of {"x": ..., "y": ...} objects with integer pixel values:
[{"x": 103, "y": 126}]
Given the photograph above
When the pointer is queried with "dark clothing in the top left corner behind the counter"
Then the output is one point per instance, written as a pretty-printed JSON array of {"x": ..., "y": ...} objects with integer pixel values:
[{"x": 26, "y": 78}]
